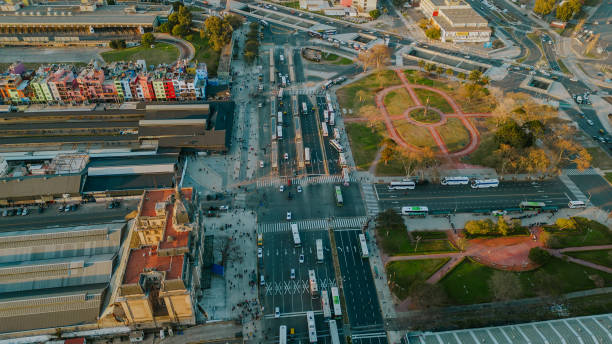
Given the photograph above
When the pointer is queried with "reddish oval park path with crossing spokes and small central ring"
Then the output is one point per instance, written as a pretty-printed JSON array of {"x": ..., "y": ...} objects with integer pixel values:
[{"x": 431, "y": 127}]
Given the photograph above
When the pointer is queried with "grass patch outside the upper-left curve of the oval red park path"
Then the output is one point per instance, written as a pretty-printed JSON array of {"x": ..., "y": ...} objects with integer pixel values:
[{"x": 348, "y": 97}]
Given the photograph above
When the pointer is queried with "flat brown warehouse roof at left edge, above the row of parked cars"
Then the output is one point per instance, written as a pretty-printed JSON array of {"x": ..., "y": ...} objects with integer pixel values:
[{"x": 32, "y": 186}]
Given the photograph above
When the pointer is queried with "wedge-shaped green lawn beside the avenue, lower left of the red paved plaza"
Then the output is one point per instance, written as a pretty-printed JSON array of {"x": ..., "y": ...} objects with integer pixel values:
[{"x": 403, "y": 274}]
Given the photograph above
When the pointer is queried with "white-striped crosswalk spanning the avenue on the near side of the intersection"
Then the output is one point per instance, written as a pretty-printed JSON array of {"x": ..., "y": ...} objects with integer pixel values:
[{"x": 313, "y": 224}]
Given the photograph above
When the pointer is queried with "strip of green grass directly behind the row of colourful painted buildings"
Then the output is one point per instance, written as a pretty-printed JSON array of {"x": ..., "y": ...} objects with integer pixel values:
[{"x": 161, "y": 53}]
